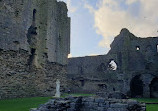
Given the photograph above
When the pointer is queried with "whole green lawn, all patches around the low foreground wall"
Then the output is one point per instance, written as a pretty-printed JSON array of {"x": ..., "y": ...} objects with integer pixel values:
[{"x": 24, "y": 104}]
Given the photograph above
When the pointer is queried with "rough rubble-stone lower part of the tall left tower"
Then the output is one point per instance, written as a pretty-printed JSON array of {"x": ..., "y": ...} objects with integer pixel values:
[{"x": 17, "y": 79}]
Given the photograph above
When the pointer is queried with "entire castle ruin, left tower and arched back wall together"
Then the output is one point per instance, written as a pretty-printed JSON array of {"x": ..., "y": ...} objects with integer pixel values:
[{"x": 35, "y": 43}]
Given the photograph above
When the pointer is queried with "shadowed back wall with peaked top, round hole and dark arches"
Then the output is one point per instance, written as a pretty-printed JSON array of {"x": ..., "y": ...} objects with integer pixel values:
[{"x": 135, "y": 72}]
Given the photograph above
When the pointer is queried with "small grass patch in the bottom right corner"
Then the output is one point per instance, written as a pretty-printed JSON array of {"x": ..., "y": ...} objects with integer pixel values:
[{"x": 149, "y": 107}]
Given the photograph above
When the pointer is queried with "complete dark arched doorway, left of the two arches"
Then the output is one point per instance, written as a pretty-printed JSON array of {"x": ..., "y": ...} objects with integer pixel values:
[{"x": 136, "y": 87}]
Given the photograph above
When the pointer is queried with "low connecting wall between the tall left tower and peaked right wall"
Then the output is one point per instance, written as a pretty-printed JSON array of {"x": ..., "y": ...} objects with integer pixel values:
[{"x": 93, "y": 74}]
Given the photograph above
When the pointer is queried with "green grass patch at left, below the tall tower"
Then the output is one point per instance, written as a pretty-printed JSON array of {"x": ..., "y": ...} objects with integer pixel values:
[{"x": 22, "y": 104}]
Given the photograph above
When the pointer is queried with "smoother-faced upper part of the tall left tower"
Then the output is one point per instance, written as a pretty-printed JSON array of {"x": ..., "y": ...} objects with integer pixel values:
[{"x": 47, "y": 24}]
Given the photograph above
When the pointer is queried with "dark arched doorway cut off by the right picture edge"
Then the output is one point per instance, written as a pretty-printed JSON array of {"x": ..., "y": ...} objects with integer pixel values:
[{"x": 154, "y": 88}]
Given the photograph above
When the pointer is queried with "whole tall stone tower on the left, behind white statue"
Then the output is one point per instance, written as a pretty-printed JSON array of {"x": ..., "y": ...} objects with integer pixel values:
[{"x": 34, "y": 45}]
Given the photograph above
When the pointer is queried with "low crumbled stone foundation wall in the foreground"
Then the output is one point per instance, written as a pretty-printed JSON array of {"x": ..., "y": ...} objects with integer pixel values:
[{"x": 91, "y": 104}]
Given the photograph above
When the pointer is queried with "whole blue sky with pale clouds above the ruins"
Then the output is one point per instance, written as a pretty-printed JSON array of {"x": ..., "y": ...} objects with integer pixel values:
[{"x": 95, "y": 23}]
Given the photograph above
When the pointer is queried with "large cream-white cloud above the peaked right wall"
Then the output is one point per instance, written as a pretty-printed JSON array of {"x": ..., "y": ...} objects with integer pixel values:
[{"x": 139, "y": 16}]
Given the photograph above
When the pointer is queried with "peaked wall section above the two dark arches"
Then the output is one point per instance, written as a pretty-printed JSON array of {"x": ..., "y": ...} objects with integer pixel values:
[{"x": 135, "y": 53}]
